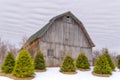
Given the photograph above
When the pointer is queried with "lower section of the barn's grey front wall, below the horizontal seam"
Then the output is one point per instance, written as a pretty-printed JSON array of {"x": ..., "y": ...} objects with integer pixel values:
[{"x": 61, "y": 51}]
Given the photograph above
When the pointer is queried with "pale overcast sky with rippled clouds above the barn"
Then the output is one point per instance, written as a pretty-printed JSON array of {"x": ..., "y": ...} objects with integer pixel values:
[{"x": 101, "y": 18}]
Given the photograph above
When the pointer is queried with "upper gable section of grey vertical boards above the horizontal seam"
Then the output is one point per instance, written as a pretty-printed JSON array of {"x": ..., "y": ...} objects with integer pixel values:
[{"x": 66, "y": 33}]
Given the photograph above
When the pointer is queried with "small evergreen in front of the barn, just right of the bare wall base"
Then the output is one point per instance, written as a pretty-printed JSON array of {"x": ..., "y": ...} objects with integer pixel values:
[{"x": 68, "y": 65}]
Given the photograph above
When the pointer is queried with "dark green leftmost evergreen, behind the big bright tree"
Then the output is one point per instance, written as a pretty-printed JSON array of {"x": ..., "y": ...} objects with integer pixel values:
[{"x": 8, "y": 64}]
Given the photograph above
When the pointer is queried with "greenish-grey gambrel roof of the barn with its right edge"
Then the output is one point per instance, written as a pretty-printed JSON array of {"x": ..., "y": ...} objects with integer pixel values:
[{"x": 41, "y": 32}]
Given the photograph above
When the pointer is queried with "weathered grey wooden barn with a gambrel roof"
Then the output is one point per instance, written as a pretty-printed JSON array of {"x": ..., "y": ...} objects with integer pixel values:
[{"x": 63, "y": 35}]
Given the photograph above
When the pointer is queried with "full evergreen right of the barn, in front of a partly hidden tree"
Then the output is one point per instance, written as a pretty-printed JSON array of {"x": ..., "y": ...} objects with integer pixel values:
[{"x": 102, "y": 66}]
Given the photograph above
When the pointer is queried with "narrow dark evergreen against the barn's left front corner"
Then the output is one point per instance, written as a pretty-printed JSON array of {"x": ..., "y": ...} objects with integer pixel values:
[{"x": 39, "y": 61}]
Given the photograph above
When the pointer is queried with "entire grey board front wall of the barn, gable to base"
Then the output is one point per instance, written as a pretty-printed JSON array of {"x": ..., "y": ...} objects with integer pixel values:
[{"x": 64, "y": 38}]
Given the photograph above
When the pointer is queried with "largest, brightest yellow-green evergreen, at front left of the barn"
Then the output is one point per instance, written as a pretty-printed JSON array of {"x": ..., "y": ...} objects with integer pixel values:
[{"x": 24, "y": 66}]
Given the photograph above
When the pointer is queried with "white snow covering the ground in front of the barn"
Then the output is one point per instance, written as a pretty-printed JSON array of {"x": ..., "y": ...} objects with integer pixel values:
[{"x": 54, "y": 74}]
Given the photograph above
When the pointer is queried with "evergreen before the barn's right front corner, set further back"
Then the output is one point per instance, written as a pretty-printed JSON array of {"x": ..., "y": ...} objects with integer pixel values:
[{"x": 82, "y": 62}]
